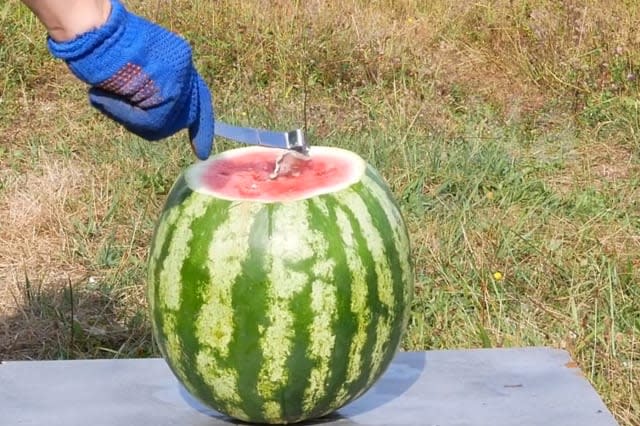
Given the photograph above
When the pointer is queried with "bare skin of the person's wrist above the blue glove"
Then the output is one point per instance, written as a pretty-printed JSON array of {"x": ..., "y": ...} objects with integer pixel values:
[{"x": 65, "y": 19}]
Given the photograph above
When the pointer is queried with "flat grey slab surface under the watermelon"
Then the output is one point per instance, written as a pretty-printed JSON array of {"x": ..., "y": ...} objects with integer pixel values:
[{"x": 527, "y": 386}]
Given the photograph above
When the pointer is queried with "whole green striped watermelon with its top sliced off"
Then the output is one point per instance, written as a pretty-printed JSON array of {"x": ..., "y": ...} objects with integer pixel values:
[{"x": 279, "y": 299}]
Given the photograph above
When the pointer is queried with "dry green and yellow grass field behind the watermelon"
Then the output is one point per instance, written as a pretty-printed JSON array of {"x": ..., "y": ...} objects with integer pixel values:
[{"x": 508, "y": 130}]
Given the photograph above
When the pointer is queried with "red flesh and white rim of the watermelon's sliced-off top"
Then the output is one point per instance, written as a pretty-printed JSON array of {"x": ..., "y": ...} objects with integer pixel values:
[{"x": 246, "y": 174}]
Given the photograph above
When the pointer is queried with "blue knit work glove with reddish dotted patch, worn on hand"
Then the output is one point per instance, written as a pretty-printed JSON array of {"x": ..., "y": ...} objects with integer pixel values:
[{"x": 143, "y": 77}]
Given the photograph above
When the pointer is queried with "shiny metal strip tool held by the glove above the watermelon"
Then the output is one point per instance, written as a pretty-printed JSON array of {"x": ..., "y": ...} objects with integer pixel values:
[{"x": 292, "y": 140}]
